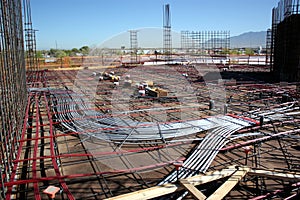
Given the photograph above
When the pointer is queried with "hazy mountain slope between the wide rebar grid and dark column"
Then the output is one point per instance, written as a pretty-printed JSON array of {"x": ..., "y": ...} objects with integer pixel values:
[{"x": 249, "y": 39}]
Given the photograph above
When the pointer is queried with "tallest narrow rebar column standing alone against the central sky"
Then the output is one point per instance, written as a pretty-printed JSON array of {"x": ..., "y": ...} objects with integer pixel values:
[{"x": 167, "y": 38}]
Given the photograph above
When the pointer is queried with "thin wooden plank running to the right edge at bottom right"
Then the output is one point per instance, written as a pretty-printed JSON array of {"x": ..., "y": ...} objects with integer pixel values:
[{"x": 283, "y": 175}]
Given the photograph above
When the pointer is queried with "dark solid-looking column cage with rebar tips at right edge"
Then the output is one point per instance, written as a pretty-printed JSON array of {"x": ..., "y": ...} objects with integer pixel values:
[{"x": 284, "y": 50}]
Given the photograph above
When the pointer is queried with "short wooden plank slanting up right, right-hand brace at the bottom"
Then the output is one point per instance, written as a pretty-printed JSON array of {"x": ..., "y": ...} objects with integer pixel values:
[{"x": 222, "y": 191}]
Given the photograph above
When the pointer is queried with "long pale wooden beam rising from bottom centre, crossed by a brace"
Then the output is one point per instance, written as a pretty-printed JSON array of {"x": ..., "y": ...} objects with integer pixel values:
[{"x": 161, "y": 190}]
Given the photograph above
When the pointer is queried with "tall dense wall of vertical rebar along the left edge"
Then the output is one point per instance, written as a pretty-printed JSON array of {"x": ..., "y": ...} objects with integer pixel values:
[{"x": 12, "y": 84}]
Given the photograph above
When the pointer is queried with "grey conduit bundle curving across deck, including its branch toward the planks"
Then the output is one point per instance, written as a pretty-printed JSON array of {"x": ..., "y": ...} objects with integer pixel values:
[{"x": 117, "y": 129}]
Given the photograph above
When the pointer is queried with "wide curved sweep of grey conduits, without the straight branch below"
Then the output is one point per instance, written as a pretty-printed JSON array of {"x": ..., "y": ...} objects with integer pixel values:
[{"x": 123, "y": 129}]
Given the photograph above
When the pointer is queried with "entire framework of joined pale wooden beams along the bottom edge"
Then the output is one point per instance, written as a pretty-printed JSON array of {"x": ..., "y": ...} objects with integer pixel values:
[{"x": 190, "y": 183}]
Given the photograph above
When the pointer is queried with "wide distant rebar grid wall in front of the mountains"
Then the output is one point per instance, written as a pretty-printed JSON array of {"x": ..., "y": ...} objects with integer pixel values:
[{"x": 205, "y": 42}]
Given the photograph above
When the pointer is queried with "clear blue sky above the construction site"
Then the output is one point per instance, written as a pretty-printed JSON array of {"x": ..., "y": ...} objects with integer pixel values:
[{"x": 75, "y": 23}]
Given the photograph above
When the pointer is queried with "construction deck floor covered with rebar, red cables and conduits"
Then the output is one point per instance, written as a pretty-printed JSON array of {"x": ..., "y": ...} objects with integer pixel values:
[{"x": 60, "y": 146}]
